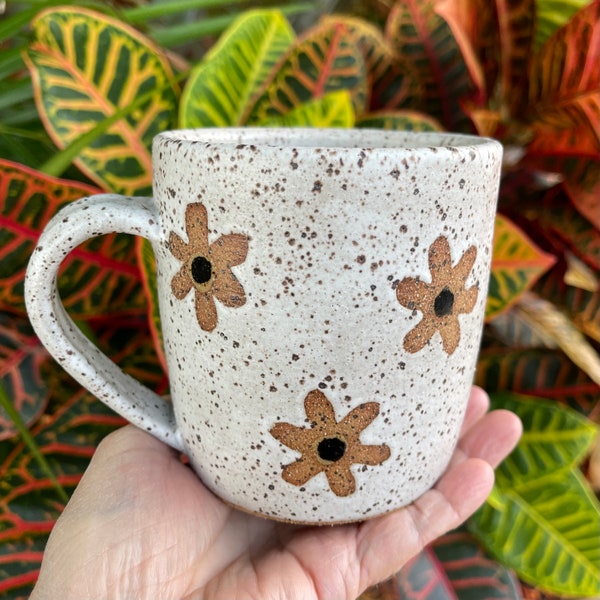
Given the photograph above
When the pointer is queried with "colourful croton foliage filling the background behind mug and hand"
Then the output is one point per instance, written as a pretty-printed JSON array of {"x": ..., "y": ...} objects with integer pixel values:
[{"x": 84, "y": 90}]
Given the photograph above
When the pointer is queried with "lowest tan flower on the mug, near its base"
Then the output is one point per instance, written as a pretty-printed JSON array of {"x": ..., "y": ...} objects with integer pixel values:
[{"x": 328, "y": 446}]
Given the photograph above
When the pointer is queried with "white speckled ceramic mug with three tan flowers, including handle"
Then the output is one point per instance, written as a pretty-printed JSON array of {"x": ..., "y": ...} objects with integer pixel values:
[{"x": 322, "y": 297}]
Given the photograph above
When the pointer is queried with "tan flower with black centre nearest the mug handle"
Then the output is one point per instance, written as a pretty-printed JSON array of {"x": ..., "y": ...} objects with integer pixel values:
[{"x": 207, "y": 267}]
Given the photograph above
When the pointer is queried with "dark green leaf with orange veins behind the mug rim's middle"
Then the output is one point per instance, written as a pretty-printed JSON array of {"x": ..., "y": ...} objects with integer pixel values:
[{"x": 326, "y": 59}]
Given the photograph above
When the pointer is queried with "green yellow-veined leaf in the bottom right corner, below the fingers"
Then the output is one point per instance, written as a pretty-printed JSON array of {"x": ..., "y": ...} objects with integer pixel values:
[{"x": 548, "y": 530}]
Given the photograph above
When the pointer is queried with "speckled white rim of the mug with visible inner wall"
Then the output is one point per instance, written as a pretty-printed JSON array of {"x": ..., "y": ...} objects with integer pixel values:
[{"x": 368, "y": 139}]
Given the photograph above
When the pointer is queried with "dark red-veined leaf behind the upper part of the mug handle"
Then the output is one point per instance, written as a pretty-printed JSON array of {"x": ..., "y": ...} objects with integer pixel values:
[{"x": 100, "y": 276}]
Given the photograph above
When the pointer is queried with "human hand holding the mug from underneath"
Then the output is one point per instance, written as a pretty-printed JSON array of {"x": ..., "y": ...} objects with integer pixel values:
[{"x": 141, "y": 525}]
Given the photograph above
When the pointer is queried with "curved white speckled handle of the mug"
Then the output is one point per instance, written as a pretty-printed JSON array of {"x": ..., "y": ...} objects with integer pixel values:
[{"x": 77, "y": 222}]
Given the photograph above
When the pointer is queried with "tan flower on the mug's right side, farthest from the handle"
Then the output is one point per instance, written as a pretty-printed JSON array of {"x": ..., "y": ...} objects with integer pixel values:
[{"x": 440, "y": 301}]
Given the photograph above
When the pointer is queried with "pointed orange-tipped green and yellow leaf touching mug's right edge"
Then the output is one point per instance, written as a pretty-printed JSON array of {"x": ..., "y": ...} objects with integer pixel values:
[{"x": 516, "y": 265}]
